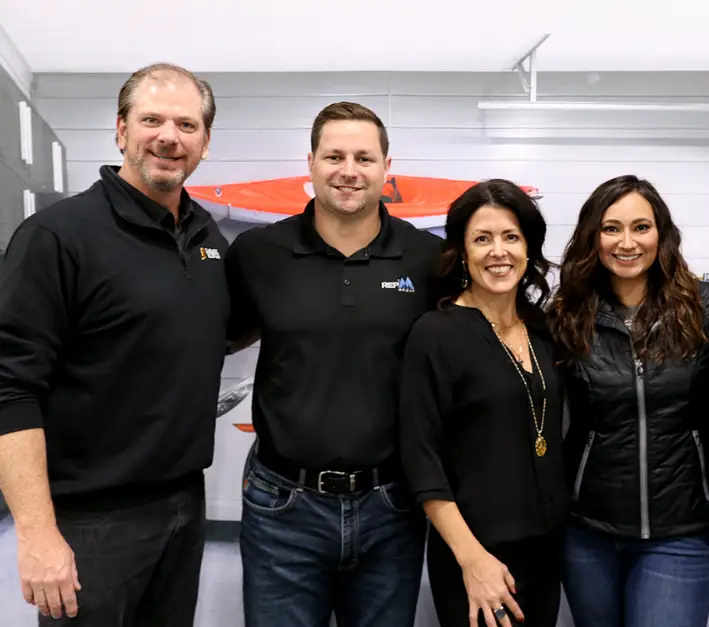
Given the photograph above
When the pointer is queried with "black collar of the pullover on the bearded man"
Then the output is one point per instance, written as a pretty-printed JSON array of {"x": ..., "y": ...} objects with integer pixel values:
[{"x": 136, "y": 207}]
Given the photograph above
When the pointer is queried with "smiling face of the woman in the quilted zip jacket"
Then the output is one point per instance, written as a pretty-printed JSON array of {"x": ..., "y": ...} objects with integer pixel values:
[{"x": 629, "y": 238}]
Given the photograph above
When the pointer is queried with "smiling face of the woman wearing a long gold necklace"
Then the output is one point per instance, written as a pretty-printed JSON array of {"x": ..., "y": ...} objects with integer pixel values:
[{"x": 495, "y": 250}]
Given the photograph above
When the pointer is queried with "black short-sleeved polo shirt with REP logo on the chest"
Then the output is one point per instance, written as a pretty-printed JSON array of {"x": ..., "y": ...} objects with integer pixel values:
[{"x": 333, "y": 330}]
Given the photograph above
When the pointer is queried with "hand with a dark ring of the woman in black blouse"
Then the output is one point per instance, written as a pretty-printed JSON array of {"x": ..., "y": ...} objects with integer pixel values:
[{"x": 490, "y": 587}]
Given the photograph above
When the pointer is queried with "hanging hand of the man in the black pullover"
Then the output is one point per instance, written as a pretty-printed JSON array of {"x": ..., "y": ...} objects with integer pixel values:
[{"x": 48, "y": 572}]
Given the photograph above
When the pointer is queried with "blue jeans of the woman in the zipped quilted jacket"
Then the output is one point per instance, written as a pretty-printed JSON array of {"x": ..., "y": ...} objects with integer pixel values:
[{"x": 614, "y": 582}]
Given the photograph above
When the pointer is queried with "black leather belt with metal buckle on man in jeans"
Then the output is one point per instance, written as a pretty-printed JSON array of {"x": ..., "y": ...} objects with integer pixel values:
[{"x": 333, "y": 481}]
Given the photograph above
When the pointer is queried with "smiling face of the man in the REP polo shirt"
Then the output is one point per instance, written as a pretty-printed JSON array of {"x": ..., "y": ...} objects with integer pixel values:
[{"x": 348, "y": 168}]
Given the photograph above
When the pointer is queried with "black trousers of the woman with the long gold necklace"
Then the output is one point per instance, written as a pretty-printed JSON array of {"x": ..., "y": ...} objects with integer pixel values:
[{"x": 535, "y": 564}]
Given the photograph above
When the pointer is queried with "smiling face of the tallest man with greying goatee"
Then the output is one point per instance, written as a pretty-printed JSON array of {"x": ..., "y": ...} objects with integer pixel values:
[{"x": 163, "y": 137}]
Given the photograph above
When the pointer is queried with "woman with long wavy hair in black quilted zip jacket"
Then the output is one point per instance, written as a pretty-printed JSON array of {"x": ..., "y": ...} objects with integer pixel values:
[{"x": 631, "y": 327}]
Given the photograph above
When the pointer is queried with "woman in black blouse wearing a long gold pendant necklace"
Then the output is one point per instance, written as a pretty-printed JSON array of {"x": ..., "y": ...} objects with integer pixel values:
[{"x": 481, "y": 413}]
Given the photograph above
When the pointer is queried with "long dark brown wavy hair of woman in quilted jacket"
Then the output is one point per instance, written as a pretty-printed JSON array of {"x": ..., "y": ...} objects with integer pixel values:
[{"x": 672, "y": 292}]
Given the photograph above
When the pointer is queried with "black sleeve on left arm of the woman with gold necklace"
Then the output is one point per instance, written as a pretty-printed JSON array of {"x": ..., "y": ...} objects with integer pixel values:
[{"x": 424, "y": 396}]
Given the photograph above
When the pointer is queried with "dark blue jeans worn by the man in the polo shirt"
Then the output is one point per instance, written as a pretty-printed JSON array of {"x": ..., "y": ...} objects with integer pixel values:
[{"x": 306, "y": 555}]
